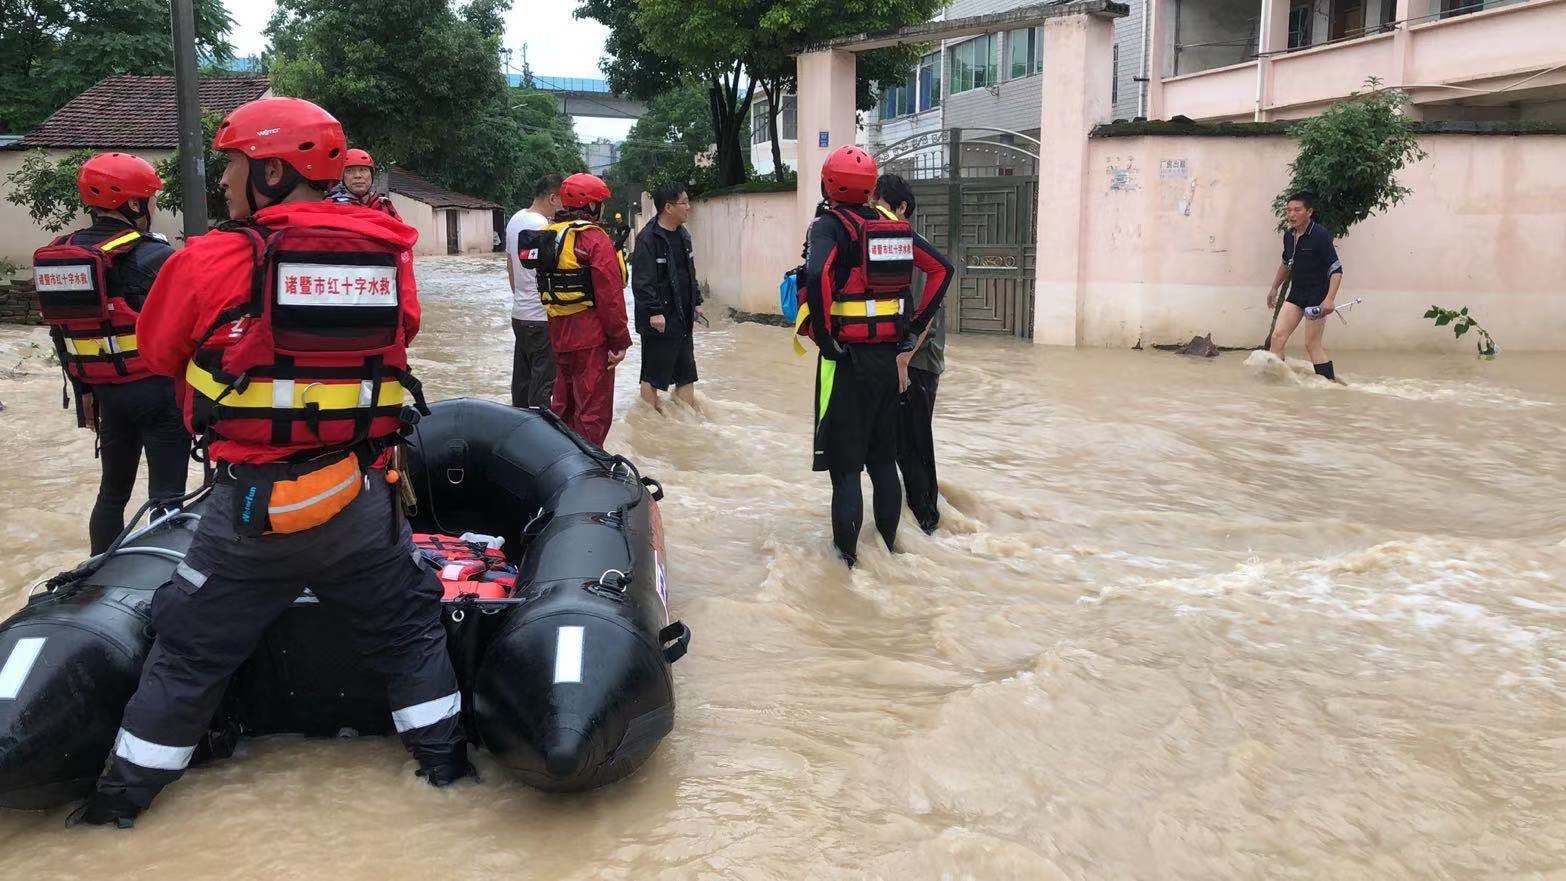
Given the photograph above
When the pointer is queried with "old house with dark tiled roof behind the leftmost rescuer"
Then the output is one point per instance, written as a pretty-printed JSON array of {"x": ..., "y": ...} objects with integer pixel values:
[{"x": 129, "y": 113}]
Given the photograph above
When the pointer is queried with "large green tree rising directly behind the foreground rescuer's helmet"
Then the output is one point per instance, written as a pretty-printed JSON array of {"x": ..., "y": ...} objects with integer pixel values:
[{"x": 406, "y": 77}]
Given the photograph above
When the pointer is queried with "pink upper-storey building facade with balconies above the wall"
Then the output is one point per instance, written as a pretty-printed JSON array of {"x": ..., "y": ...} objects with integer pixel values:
[{"x": 1265, "y": 60}]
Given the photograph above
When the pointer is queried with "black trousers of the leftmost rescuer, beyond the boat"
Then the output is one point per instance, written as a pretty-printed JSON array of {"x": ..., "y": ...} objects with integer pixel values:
[{"x": 131, "y": 419}]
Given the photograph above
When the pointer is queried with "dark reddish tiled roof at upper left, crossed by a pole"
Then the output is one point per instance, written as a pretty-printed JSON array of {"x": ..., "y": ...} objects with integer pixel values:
[{"x": 135, "y": 112}]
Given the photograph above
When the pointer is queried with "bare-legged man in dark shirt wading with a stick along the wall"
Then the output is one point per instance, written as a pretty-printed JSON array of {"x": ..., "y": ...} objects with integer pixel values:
[{"x": 1310, "y": 264}]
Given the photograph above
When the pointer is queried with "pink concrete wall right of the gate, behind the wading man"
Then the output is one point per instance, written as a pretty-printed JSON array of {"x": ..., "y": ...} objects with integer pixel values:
[{"x": 1180, "y": 240}]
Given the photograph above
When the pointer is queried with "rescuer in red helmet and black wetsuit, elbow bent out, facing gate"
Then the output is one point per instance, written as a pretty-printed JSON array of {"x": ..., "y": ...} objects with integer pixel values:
[{"x": 862, "y": 315}]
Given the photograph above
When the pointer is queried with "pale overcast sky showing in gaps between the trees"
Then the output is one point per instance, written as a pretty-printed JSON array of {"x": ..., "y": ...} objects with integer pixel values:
[{"x": 558, "y": 46}]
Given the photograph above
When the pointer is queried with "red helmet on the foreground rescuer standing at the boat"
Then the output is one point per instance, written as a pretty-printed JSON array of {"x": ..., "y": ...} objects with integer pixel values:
[{"x": 294, "y": 131}]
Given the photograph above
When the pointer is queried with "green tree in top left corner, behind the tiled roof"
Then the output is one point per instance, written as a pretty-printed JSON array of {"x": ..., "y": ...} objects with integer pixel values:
[{"x": 52, "y": 51}]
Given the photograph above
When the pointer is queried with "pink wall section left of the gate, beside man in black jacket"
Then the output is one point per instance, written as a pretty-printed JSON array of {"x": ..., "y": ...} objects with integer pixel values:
[{"x": 743, "y": 246}]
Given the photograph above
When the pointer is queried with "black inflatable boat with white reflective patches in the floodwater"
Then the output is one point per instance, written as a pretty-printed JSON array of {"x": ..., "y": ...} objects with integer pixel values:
[{"x": 565, "y": 661}]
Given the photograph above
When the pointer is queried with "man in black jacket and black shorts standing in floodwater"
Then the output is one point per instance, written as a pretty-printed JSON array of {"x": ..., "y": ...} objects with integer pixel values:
[{"x": 668, "y": 300}]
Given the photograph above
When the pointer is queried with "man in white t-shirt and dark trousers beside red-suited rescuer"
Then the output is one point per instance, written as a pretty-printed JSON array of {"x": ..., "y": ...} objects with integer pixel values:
[{"x": 533, "y": 361}]
